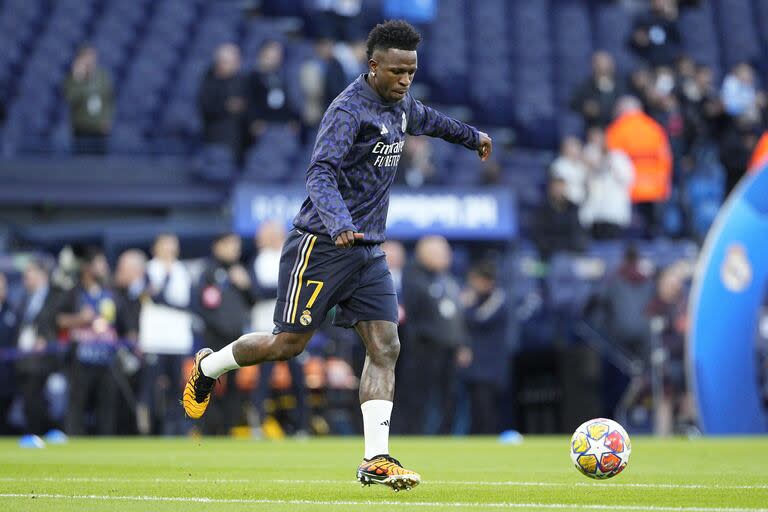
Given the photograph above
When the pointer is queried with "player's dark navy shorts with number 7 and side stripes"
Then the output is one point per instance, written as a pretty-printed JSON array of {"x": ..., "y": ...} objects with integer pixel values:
[{"x": 315, "y": 276}]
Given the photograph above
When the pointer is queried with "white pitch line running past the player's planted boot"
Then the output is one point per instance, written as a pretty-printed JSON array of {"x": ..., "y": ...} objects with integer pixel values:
[{"x": 438, "y": 482}]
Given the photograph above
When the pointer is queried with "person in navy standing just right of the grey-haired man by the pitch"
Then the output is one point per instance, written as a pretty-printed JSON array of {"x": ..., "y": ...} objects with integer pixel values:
[{"x": 487, "y": 316}]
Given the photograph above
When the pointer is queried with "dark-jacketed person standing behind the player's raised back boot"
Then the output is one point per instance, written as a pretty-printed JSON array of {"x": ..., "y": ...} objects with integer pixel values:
[{"x": 225, "y": 302}]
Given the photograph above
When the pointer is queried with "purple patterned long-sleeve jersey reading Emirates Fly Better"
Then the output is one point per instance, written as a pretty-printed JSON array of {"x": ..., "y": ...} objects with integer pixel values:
[{"x": 355, "y": 159}]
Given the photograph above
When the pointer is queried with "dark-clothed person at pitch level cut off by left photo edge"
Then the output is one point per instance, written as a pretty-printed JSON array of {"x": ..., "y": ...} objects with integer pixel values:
[{"x": 8, "y": 329}]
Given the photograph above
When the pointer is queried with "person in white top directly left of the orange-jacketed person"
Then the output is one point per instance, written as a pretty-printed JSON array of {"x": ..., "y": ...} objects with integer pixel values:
[{"x": 607, "y": 208}]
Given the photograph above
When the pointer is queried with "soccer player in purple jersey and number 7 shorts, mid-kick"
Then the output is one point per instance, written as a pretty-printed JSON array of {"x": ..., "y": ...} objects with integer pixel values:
[{"x": 333, "y": 256}]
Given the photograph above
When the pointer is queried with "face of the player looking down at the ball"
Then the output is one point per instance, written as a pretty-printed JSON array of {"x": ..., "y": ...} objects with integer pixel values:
[{"x": 393, "y": 71}]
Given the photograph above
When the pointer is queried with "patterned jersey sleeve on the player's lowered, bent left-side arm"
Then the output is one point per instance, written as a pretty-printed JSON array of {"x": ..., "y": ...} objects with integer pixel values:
[{"x": 336, "y": 136}]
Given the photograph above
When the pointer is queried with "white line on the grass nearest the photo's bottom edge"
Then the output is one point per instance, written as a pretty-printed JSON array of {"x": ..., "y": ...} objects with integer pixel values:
[{"x": 336, "y": 503}]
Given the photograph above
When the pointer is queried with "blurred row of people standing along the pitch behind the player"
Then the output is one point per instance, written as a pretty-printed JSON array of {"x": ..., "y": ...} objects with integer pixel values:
[{"x": 95, "y": 351}]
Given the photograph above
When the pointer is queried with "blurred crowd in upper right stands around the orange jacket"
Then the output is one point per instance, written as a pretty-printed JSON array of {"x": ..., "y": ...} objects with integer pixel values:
[{"x": 665, "y": 141}]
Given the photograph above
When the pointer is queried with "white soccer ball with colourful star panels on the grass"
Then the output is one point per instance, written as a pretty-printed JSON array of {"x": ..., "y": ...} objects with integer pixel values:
[{"x": 600, "y": 448}]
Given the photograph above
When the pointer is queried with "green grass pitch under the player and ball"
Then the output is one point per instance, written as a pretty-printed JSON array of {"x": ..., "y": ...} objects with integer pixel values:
[{"x": 475, "y": 474}]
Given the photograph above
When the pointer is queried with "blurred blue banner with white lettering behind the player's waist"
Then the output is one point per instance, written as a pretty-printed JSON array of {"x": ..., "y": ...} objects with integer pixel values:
[{"x": 466, "y": 214}]
